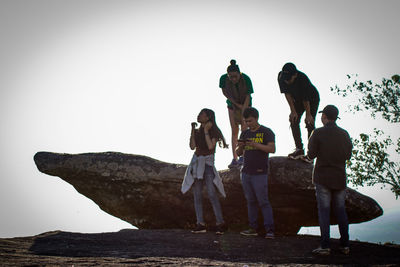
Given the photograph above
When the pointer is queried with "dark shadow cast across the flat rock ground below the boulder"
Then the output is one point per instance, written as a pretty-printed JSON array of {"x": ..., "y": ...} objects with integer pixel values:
[{"x": 230, "y": 247}]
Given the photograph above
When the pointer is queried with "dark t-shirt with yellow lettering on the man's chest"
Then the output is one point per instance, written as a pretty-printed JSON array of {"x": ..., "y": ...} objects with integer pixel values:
[{"x": 256, "y": 161}]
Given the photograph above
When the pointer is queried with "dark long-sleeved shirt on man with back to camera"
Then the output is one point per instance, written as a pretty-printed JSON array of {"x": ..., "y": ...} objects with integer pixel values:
[{"x": 332, "y": 146}]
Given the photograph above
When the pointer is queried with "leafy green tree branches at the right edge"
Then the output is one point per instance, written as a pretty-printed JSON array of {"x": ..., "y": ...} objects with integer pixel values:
[{"x": 370, "y": 163}]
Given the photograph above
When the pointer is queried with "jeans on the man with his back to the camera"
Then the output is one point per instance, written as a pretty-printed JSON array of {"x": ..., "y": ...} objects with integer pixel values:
[{"x": 324, "y": 197}]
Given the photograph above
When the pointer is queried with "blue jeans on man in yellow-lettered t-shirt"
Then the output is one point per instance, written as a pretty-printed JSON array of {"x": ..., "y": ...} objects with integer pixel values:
[{"x": 255, "y": 189}]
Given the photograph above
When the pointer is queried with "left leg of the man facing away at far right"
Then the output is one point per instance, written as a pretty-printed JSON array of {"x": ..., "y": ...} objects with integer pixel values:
[{"x": 323, "y": 195}]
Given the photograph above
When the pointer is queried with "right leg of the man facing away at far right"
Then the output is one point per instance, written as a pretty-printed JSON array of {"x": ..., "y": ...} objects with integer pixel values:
[{"x": 339, "y": 198}]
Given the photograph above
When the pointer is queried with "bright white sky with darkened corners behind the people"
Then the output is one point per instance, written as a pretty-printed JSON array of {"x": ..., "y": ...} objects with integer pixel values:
[{"x": 130, "y": 76}]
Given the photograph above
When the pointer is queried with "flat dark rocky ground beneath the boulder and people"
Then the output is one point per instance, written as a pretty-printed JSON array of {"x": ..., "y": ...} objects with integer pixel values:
[{"x": 182, "y": 248}]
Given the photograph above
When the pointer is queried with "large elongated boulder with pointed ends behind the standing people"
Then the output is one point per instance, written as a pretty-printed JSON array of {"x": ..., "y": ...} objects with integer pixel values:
[{"x": 146, "y": 192}]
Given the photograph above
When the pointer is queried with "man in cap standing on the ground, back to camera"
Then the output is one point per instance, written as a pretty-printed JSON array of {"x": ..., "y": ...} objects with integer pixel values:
[{"x": 332, "y": 146}]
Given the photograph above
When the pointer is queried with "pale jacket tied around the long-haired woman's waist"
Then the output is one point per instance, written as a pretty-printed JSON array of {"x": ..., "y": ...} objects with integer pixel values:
[{"x": 196, "y": 169}]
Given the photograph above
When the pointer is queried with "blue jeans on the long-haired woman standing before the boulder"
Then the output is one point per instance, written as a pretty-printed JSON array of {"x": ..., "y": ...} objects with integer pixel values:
[{"x": 212, "y": 194}]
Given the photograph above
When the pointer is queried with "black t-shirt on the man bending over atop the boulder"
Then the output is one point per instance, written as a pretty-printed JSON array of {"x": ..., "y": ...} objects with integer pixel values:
[{"x": 301, "y": 89}]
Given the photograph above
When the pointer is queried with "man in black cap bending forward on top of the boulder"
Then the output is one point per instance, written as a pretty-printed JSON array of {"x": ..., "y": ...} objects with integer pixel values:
[{"x": 301, "y": 96}]
